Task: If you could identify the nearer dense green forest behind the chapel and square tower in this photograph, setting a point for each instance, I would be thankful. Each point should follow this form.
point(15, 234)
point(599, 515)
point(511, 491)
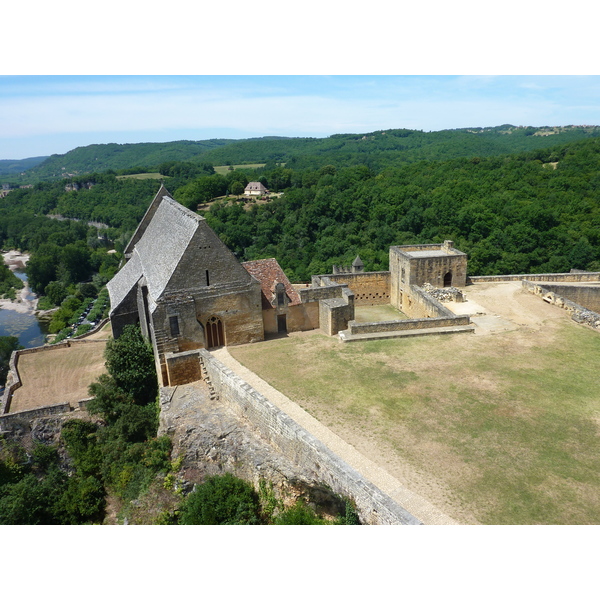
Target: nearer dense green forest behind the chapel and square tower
point(531, 212)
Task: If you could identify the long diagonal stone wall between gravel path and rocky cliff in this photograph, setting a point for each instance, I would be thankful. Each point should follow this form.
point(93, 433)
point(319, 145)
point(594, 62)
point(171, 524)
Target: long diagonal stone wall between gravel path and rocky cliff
point(299, 446)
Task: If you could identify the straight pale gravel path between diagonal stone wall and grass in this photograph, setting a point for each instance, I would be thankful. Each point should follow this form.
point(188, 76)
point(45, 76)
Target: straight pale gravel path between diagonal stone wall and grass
point(413, 503)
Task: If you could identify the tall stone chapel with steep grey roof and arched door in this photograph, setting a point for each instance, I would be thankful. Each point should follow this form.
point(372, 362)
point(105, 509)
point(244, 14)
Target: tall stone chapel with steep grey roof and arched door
point(183, 286)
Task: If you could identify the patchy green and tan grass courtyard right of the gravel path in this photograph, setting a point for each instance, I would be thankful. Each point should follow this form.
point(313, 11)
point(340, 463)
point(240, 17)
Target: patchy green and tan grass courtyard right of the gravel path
point(498, 427)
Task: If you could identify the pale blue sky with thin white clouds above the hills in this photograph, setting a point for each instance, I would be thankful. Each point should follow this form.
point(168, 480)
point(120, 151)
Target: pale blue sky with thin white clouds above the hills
point(42, 115)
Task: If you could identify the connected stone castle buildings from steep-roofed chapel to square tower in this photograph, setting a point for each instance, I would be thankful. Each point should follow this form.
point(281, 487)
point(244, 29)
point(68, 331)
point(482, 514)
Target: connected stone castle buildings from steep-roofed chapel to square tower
point(187, 290)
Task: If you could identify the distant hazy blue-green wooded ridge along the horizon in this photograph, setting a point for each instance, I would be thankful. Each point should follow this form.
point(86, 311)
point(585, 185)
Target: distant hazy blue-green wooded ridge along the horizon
point(376, 150)
